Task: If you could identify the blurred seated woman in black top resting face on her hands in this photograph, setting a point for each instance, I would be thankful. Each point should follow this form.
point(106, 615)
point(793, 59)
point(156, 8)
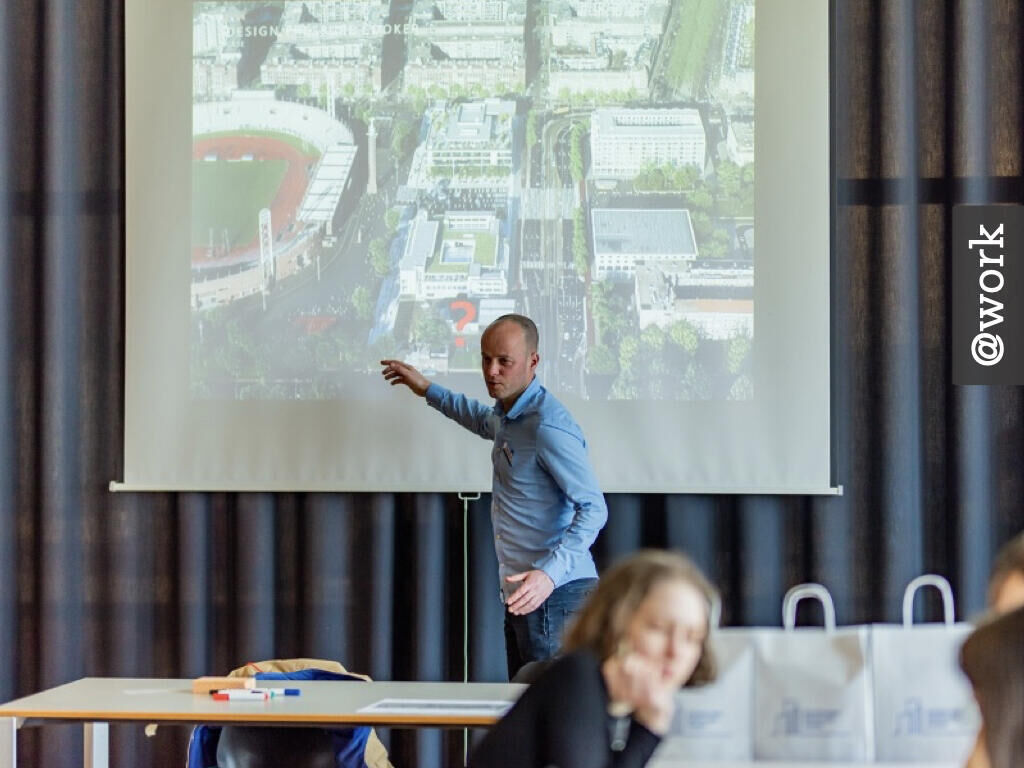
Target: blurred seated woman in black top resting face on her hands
point(608, 702)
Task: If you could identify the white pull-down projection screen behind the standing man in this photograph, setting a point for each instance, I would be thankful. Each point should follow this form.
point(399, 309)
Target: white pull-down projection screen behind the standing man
point(314, 186)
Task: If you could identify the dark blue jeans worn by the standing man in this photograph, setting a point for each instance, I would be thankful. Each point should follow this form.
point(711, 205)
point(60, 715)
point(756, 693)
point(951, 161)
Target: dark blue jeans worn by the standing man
point(538, 636)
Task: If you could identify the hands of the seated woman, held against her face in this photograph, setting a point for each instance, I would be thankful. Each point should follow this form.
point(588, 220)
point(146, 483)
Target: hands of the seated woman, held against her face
point(635, 685)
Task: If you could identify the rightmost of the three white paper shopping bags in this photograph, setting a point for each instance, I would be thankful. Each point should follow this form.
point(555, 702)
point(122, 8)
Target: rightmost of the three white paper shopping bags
point(924, 709)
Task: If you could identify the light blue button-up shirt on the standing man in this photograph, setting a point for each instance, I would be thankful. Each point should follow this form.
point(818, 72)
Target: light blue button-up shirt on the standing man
point(546, 507)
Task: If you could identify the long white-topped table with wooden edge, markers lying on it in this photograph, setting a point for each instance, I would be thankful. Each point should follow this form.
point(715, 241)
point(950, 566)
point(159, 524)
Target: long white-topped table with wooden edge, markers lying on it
point(98, 702)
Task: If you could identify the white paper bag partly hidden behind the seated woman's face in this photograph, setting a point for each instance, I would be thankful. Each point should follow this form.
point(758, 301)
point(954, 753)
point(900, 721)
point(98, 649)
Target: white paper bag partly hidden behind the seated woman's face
point(715, 721)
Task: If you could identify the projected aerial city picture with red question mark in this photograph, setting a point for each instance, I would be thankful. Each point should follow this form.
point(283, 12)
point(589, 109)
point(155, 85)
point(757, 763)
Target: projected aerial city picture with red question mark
point(378, 179)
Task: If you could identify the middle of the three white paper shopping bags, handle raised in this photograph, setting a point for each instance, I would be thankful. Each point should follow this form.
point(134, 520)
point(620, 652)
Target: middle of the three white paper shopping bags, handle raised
point(813, 689)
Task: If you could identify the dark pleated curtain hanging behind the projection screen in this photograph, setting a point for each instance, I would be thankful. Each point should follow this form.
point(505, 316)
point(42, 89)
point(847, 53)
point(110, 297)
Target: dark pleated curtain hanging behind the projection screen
point(927, 114)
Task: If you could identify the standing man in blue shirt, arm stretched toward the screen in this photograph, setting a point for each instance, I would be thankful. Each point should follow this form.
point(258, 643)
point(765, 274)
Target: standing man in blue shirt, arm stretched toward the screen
point(546, 506)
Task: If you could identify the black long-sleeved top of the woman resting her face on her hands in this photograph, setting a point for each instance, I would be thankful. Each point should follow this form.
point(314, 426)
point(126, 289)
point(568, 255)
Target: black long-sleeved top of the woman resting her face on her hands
point(563, 721)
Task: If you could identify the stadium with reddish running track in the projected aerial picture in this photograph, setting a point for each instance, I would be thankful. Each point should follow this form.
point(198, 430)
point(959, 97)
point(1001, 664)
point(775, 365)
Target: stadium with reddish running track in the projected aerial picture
point(268, 180)
